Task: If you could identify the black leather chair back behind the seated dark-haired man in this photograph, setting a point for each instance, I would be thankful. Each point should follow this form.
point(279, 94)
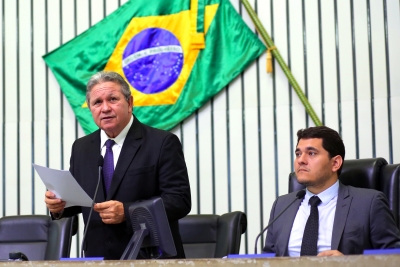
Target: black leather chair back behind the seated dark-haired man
point(374, 173)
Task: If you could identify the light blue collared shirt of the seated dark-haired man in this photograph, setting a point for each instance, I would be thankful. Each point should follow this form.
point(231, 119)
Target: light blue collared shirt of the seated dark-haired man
point(326, 210)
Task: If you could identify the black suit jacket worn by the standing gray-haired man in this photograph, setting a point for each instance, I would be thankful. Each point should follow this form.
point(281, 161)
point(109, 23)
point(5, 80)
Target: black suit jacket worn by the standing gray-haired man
point(151, 163)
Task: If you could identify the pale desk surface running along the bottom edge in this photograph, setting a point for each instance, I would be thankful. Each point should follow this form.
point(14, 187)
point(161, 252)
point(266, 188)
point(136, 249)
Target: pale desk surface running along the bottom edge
point(359, 260)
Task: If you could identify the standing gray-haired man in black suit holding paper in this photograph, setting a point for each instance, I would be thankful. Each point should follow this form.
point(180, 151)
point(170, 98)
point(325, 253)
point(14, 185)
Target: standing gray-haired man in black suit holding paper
point(148, 162)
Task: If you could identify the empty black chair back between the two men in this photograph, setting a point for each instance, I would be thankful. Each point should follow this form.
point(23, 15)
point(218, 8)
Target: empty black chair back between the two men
point(212, 236)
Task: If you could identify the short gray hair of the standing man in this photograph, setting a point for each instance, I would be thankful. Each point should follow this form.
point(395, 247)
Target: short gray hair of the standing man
point(107, 76)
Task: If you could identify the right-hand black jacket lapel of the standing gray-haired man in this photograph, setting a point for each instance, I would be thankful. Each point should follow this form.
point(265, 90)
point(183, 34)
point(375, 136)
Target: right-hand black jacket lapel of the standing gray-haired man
point(132, 143)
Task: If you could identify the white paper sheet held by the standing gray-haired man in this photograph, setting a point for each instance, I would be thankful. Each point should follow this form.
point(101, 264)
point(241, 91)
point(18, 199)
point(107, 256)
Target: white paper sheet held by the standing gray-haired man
point(64, 186)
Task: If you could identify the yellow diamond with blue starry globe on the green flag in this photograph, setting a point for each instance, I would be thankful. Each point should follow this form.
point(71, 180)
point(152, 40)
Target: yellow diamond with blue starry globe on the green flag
point(156, 55)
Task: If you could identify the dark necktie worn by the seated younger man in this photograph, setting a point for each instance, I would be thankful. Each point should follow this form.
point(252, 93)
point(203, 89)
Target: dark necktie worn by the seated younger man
point(310, 236)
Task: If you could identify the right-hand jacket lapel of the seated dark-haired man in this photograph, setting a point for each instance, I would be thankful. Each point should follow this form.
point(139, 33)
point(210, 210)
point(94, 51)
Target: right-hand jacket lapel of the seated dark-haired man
point(342, 210)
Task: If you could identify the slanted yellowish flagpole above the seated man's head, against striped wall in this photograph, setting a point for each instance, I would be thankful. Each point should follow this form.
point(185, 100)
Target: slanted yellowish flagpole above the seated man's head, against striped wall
point(271, 47)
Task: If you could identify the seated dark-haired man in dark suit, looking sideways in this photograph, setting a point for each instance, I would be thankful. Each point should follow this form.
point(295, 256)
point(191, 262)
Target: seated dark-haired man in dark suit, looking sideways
point(348, 219)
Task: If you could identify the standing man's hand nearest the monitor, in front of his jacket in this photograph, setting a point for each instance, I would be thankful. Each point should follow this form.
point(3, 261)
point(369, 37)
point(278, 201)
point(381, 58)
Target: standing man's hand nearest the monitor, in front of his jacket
point(111, 212)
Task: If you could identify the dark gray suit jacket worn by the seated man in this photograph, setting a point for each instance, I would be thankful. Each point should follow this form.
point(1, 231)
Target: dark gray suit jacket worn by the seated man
point(363, 220)
